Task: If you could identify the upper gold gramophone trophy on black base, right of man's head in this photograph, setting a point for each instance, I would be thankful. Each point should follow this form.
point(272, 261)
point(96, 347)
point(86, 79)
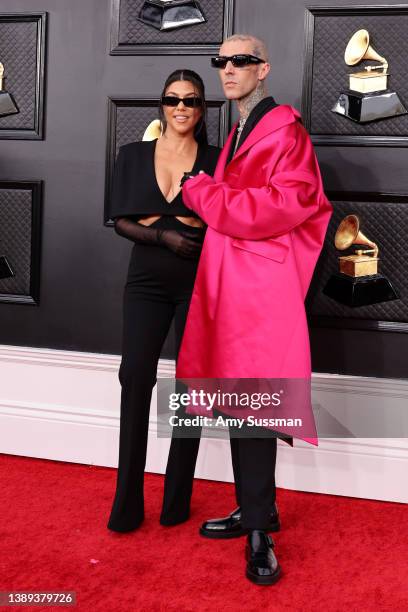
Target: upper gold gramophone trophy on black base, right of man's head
point(368, 98)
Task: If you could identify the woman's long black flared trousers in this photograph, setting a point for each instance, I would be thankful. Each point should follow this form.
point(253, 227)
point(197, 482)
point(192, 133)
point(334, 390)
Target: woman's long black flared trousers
point(158, 289)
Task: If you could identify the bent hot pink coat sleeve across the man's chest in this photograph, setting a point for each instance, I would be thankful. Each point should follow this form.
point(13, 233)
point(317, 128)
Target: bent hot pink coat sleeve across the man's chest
point(291, 193)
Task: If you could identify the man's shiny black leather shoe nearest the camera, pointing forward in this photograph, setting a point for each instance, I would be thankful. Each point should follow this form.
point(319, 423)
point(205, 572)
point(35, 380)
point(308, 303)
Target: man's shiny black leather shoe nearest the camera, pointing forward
point(262, 565)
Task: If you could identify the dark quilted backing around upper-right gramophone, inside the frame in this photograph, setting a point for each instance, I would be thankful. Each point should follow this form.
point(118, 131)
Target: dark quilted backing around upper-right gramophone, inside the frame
point(388, 36)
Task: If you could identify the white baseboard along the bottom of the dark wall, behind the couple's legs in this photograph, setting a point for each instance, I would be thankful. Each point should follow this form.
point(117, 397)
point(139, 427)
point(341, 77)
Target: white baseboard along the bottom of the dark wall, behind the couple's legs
point(64, 405)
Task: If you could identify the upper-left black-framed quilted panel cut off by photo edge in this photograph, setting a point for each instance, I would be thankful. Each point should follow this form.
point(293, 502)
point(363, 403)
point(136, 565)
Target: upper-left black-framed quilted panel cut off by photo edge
point(22, 57)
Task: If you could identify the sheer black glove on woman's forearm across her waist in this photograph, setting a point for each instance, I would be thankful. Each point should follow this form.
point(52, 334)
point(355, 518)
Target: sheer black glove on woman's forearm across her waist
point(183, 243)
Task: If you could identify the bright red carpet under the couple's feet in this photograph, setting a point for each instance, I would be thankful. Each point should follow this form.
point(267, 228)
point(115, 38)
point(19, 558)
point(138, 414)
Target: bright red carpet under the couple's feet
point(336, 553)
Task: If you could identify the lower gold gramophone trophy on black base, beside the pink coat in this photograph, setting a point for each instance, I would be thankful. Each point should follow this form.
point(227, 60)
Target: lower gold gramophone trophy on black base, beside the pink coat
point(358, 282)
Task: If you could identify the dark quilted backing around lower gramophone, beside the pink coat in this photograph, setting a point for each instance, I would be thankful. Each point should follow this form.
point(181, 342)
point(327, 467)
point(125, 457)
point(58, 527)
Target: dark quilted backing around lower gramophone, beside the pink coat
point(386, 224)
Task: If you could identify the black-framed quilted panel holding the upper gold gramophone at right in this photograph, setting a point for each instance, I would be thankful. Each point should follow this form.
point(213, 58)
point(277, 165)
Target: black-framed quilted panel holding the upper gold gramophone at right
point(341, 43)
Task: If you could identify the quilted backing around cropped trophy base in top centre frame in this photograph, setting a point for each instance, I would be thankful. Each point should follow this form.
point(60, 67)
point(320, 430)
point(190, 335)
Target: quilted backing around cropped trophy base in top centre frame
point(134, 32)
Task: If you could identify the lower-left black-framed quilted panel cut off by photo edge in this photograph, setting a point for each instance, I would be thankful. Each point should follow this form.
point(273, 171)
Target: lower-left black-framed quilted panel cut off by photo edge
point(20, 241)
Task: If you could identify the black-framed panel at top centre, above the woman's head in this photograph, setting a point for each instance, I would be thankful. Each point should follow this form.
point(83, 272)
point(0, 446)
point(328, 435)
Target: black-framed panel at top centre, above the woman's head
point(169, 27)
